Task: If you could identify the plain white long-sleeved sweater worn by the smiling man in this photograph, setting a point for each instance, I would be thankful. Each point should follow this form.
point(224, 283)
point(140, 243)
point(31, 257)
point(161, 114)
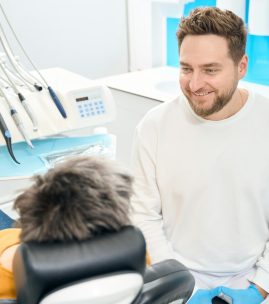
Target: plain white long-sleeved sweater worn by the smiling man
point(202, 188)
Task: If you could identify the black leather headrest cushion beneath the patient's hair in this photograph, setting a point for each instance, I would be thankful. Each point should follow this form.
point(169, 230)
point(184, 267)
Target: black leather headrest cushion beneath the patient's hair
point(40, 268)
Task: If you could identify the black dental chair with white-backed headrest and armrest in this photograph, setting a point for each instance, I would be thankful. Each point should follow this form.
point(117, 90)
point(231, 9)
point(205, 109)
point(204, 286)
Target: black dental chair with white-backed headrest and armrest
point(108, 269)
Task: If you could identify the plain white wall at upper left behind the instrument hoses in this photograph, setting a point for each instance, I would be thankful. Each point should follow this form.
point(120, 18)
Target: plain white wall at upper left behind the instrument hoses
point(88, 37)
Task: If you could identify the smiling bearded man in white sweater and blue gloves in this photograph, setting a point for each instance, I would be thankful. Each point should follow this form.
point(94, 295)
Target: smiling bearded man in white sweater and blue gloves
point(201, 166)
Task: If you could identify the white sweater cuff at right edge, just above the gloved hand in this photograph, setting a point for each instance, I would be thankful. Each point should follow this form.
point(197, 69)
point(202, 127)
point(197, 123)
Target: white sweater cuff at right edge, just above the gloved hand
point(262, 275)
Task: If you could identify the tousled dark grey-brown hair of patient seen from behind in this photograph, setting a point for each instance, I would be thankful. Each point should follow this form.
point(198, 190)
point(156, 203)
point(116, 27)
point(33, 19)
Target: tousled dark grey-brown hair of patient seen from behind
point(78, 199)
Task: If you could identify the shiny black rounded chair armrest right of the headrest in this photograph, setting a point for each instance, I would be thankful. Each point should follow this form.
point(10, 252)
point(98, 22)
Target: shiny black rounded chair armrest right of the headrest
point(166, 282)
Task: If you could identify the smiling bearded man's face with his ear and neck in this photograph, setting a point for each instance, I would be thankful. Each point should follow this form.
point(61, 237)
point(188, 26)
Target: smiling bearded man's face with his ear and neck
point(209, 77)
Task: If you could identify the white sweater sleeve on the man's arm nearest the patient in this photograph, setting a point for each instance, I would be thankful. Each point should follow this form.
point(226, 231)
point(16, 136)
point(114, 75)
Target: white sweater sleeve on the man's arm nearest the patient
point(146, 202)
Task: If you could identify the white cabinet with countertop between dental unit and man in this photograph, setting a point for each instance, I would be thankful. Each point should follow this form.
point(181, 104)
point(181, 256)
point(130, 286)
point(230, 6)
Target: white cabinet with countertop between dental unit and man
point(135, 94)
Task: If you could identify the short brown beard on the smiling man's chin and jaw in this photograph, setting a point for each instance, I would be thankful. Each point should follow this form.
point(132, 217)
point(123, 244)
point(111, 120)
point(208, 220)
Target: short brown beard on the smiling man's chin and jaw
point(219, 103)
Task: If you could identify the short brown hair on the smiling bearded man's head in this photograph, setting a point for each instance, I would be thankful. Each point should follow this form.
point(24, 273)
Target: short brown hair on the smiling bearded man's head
point(212, 20)
